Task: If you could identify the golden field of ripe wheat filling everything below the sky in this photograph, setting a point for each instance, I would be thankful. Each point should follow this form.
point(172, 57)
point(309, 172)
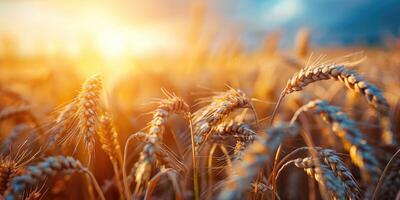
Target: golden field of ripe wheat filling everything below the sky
point(206, 122)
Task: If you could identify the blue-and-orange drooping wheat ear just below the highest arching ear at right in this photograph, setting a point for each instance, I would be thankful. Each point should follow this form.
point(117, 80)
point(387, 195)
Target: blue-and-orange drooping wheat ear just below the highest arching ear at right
point(362, 154)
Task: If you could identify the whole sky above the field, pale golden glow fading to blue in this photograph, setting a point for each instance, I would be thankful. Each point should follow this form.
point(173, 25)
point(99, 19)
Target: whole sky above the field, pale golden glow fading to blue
point(331, 22)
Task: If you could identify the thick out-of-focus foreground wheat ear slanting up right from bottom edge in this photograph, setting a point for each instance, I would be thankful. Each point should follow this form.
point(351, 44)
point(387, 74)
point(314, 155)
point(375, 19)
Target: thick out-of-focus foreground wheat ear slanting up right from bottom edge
point(255, 156)
